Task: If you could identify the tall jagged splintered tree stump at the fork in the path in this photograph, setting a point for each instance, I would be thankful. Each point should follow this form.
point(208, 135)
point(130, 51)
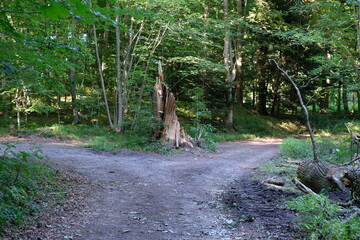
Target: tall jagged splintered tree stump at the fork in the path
point(168, 128)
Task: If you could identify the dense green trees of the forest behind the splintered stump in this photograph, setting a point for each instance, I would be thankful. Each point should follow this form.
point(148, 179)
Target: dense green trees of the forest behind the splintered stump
point(96, 62)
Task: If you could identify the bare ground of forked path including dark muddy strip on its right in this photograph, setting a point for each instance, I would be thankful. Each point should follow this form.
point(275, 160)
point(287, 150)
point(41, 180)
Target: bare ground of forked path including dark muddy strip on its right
point(140, 195)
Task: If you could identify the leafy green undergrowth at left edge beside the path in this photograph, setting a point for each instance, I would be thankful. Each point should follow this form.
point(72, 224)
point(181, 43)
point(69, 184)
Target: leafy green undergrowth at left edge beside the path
point(25, 183)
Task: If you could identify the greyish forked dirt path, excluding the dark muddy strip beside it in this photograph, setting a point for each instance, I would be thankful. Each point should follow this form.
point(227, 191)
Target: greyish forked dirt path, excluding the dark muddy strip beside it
point(154, 197)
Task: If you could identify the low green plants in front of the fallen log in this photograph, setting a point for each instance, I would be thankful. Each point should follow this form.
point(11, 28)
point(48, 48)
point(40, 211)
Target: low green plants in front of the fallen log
point(320, 219)
